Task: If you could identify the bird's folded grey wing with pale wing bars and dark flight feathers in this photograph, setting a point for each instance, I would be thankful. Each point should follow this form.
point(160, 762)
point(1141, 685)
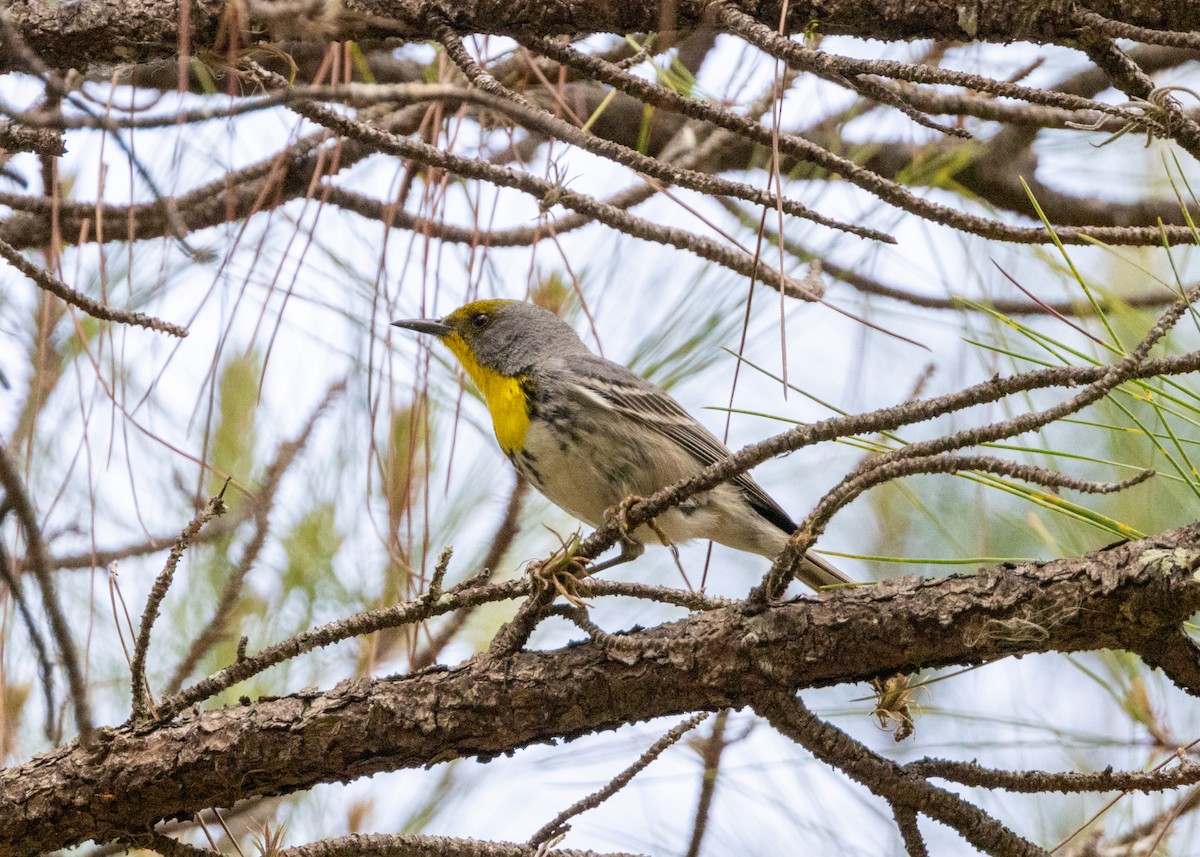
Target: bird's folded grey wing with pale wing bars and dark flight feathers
point(638, 399)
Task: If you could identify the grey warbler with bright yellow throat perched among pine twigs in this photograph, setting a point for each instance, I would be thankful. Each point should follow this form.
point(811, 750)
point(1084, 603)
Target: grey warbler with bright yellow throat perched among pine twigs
point(589, 433)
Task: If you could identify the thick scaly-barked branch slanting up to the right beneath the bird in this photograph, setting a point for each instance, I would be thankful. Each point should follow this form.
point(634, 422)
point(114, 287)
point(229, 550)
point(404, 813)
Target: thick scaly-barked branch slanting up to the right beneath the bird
point(1132, 597)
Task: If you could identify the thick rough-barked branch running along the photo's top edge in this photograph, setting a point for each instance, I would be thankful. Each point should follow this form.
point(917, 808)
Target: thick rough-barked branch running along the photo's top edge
point(107, 33)
